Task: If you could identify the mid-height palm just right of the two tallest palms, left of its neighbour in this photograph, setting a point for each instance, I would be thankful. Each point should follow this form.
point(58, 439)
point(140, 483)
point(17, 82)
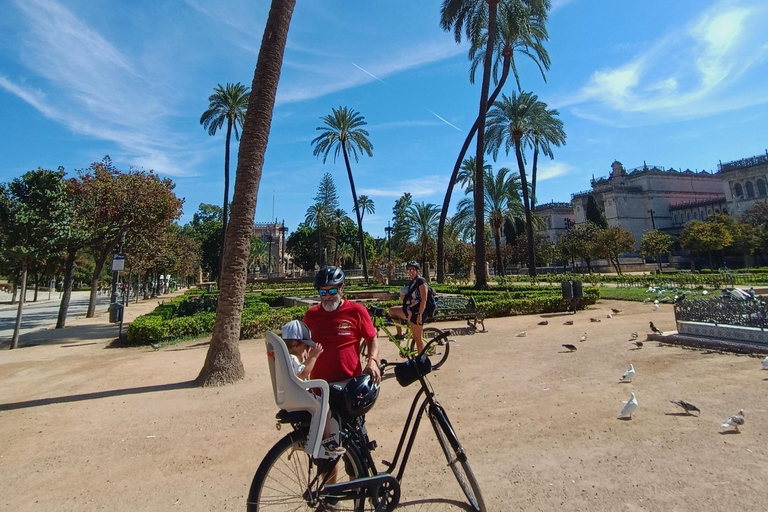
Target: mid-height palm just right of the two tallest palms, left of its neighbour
point(509, 123)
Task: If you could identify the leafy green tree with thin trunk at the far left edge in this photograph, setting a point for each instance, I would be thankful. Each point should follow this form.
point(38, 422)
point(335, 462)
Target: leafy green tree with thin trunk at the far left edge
point(35, 218)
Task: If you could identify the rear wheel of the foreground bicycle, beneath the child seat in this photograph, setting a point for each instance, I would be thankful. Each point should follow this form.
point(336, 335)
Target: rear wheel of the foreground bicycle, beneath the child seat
point(289, 479)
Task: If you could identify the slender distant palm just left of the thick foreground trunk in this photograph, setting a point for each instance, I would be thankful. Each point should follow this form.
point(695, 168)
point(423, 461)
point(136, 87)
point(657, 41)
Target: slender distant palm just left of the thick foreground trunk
point(226, 104)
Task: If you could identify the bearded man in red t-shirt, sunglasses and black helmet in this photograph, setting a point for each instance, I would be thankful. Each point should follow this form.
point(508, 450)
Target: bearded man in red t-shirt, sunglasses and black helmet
point(339, 325)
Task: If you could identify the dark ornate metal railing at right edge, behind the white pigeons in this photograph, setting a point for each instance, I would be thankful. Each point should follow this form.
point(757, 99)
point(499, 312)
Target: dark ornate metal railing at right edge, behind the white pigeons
point(753, 313)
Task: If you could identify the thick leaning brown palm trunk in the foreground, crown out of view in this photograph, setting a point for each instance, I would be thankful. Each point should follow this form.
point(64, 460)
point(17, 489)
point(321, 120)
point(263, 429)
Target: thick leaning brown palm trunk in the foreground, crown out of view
point(222, 363)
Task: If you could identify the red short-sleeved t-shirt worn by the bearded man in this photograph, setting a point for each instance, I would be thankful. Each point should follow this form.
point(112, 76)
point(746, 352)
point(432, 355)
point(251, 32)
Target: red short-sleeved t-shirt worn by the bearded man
point(340, 333)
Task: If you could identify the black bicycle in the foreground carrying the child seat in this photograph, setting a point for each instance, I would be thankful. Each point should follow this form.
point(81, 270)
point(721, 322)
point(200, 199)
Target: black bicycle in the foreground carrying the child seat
point(290, 479)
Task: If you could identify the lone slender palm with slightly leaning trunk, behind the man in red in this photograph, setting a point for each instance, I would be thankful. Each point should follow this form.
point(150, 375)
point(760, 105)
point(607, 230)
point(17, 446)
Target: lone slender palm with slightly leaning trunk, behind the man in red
point(342, 133)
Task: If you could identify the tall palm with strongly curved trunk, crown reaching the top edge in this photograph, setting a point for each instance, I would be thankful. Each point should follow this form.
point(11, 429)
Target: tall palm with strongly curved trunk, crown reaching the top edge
point(523, 29)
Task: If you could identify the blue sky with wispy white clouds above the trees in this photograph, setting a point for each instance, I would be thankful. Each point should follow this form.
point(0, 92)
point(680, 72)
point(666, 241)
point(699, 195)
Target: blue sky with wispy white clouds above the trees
point(673, 84)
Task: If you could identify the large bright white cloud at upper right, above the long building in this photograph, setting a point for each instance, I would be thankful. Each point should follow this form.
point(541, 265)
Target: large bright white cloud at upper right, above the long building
point(705, 69)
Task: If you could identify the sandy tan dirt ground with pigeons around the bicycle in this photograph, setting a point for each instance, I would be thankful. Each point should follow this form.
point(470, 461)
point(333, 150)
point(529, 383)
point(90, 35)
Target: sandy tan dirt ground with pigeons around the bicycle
point(86, 427)
